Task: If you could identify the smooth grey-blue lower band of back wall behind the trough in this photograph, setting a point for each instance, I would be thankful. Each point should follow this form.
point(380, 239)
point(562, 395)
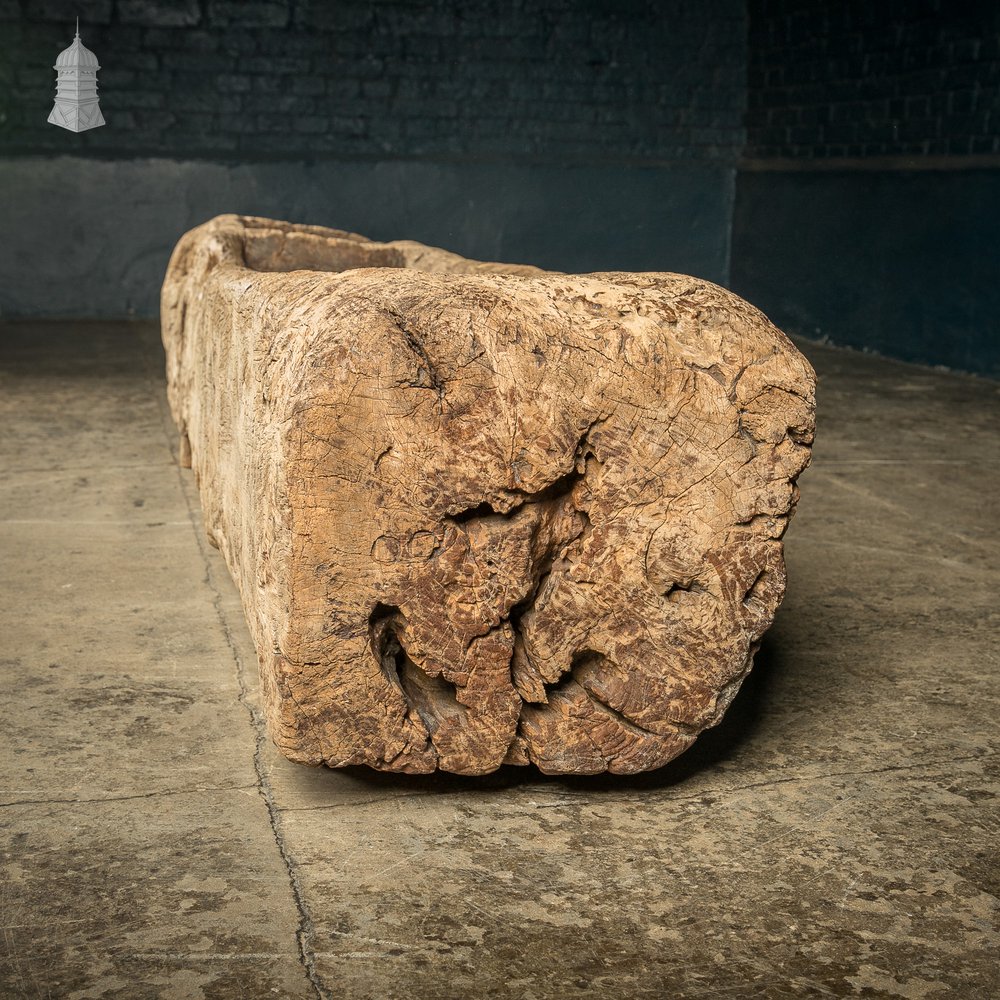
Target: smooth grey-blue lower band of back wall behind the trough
point(92, 237)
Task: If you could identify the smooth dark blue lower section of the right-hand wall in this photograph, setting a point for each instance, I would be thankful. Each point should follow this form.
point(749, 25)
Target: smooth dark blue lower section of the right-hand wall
point(904, 263)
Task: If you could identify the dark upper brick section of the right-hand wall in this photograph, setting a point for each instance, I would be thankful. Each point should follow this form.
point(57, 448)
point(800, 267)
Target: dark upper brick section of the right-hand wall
point(863, 78)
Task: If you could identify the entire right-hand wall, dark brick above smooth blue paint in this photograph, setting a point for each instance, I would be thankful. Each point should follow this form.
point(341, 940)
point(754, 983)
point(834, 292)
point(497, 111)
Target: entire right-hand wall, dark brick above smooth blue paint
point(868, 205)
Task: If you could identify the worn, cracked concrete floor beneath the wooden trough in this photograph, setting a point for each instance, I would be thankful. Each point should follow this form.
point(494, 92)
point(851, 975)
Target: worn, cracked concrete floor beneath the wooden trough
point(837, 835)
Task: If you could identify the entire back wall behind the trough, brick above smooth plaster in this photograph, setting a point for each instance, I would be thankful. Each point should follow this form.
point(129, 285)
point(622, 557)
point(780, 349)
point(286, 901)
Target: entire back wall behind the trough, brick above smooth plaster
point(575, 134)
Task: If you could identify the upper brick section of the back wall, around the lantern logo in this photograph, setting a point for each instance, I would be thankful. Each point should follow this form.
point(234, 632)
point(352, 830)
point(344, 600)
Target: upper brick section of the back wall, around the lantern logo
point(555, 80)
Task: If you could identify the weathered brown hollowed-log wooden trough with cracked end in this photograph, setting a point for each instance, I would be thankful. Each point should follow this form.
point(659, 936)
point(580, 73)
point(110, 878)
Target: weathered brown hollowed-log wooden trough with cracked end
point(483, 513)
